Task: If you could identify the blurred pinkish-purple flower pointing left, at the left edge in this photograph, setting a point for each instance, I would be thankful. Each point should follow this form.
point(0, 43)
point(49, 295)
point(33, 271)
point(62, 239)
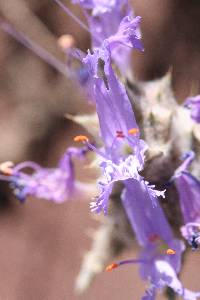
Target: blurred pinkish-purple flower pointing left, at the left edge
point(56, 184)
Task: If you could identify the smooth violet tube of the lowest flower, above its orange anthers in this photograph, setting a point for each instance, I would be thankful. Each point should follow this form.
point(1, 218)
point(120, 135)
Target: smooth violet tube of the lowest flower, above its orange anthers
point(145, 218)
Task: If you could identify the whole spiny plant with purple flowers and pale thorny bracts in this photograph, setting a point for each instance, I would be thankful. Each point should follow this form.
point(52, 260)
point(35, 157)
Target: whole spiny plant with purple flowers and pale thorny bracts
point(146, 145)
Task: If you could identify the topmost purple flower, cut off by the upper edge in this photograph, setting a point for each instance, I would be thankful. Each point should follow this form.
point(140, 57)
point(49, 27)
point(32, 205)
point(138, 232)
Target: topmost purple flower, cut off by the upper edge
point(113, 21)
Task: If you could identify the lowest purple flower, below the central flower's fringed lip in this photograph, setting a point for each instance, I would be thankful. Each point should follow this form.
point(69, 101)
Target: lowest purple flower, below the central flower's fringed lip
point(155, 236)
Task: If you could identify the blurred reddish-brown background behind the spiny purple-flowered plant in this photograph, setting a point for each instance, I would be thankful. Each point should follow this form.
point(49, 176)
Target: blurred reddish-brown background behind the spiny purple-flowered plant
point(42, 244)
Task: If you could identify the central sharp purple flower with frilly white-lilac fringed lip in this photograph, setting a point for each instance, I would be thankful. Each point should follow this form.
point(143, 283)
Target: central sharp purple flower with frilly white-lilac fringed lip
point(117, 121)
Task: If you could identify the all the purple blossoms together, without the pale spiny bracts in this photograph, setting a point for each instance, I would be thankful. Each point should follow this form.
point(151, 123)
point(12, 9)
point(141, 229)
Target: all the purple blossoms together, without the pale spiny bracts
point(123, 152)
